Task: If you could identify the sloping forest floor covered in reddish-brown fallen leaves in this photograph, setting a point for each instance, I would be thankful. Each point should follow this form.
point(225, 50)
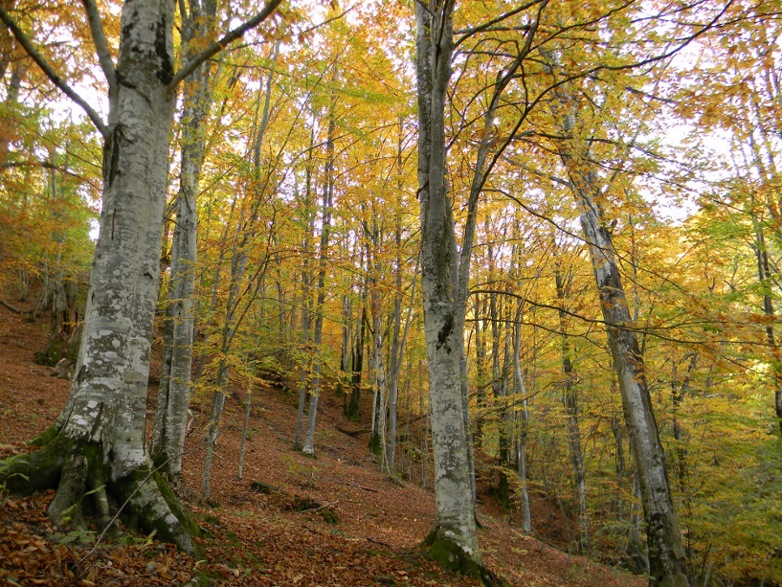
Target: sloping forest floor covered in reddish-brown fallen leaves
point(333, 520)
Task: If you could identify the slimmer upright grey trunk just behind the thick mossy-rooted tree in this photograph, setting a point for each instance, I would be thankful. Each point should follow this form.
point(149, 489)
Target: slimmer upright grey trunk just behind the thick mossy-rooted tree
point(171, 416)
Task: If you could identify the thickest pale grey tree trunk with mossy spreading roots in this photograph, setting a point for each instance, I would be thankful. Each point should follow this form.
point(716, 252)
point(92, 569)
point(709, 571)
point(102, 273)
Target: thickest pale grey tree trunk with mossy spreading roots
point(95, 453)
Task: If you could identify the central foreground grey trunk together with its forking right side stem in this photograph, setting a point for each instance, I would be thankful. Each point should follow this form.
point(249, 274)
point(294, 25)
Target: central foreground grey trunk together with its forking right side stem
point(444, 271)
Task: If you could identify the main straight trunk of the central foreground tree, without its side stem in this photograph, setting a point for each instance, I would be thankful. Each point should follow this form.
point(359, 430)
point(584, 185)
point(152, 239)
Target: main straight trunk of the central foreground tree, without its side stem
point(443, 326)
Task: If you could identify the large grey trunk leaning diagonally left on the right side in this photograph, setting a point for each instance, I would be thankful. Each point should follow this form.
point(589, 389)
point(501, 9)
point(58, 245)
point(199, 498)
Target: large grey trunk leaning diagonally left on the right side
point(667, 561)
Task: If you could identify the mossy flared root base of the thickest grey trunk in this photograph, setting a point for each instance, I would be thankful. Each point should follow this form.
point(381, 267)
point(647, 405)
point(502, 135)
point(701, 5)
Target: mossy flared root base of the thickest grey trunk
point(78, 472)
